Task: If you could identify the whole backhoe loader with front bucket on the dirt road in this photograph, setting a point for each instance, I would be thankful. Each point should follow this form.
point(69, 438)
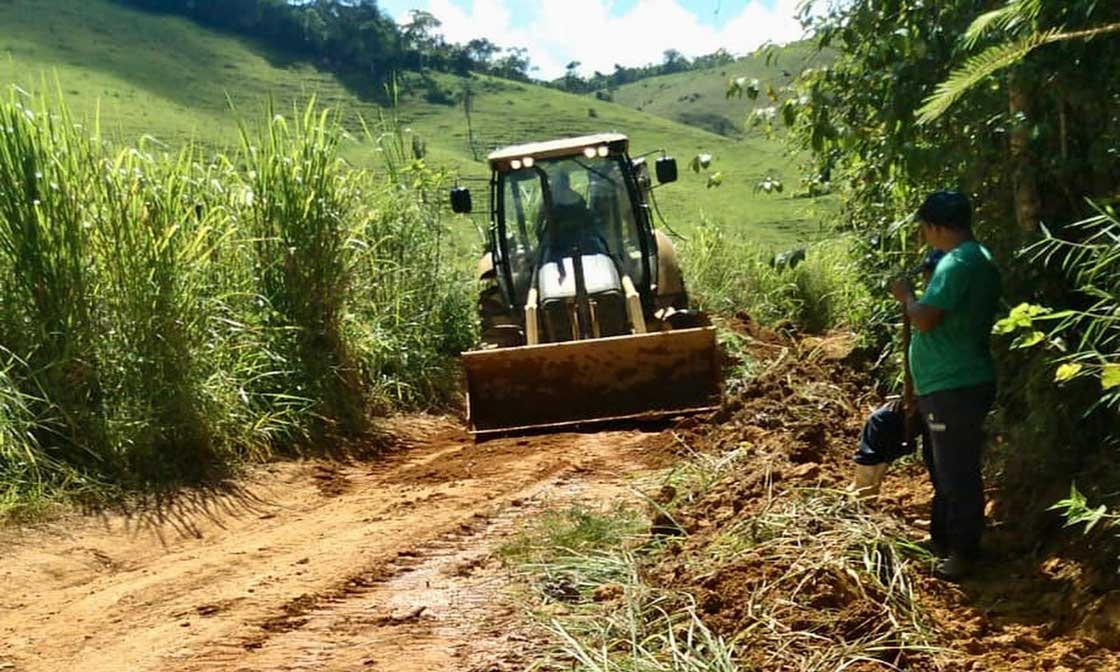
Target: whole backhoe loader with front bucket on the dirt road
point(585, 316)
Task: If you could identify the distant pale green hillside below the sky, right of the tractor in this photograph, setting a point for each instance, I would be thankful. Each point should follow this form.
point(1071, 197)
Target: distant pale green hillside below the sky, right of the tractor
point(698, 98)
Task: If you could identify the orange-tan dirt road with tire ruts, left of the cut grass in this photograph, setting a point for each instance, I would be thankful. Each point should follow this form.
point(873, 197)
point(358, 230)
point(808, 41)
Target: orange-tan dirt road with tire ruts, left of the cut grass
point(379, 565)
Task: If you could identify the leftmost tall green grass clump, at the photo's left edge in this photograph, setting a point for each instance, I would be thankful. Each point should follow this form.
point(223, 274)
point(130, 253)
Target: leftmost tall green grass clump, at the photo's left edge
point(48, 281)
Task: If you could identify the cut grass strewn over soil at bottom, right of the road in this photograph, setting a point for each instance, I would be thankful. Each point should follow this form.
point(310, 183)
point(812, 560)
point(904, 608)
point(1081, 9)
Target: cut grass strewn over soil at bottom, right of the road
point(839, 592)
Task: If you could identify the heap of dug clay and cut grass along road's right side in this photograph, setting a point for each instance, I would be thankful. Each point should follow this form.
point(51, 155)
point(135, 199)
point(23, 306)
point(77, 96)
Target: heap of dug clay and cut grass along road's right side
point(770, 564)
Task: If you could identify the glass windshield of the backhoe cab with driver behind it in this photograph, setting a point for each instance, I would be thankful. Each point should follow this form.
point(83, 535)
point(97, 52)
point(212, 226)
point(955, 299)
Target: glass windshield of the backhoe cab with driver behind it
point(591, 213)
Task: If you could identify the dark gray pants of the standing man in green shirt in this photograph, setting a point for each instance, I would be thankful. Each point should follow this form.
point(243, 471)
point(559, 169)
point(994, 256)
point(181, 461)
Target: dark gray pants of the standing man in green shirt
point(955, 422)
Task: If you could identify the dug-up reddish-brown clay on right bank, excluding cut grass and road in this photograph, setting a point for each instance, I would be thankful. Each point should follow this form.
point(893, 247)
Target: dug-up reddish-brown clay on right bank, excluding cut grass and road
point(802, 416)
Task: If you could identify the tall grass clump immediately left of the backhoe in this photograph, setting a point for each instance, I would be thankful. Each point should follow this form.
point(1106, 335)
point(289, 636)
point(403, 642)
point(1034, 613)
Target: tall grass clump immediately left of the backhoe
point(417, 315)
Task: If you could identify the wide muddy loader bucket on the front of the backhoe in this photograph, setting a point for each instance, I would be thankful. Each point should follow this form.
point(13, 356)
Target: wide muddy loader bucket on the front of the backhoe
point(620, 378)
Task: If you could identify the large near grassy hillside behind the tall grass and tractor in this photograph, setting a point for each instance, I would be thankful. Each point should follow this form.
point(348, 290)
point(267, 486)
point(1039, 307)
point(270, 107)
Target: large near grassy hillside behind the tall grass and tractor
point(166, 78)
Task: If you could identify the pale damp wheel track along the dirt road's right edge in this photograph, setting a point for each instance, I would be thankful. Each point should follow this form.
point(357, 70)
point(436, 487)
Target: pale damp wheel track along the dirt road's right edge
point(437, 606)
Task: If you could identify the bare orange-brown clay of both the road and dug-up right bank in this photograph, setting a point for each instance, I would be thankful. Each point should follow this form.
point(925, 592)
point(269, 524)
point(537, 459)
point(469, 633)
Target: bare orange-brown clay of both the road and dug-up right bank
point(388, 565)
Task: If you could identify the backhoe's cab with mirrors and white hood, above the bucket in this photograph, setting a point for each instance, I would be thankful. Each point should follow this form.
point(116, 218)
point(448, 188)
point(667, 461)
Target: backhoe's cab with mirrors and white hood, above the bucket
point(571, 236)
